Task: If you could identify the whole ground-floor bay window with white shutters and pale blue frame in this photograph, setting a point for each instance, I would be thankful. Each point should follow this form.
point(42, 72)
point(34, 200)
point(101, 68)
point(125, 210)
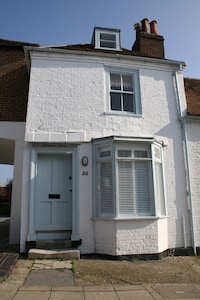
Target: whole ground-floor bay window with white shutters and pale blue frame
point(129, 179)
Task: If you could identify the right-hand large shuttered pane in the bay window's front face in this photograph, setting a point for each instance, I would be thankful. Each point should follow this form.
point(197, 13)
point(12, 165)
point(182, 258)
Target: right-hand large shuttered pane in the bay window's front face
point(143, 188)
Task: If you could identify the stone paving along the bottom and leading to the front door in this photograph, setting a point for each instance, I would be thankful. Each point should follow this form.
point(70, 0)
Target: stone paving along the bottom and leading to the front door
point(29, 279)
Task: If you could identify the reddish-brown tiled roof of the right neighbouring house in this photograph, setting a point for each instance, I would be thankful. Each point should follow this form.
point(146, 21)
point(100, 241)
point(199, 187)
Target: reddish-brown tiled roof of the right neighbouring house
point(192, 90)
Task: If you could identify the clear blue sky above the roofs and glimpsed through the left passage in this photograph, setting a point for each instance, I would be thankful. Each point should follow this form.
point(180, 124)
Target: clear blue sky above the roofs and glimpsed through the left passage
point(64, 22)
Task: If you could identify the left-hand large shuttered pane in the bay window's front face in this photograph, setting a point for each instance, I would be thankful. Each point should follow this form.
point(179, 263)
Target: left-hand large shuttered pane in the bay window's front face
point(125, 188)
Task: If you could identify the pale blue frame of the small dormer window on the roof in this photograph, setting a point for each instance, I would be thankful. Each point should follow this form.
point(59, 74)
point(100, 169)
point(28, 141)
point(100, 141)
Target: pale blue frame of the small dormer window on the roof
point(116, 33)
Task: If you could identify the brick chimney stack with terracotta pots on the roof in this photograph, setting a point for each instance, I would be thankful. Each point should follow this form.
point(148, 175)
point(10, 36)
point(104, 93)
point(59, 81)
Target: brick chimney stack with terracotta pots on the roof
point(149, 44)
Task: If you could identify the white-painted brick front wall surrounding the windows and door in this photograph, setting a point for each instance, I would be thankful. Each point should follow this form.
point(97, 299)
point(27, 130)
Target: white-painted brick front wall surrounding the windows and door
point(67, 103)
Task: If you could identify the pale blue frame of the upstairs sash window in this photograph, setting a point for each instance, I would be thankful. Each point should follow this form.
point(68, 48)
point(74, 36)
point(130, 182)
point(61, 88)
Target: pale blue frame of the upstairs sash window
point(136, 91)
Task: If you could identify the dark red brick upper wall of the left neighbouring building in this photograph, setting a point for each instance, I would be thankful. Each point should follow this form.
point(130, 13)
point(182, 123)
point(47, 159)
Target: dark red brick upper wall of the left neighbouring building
point(13, 84)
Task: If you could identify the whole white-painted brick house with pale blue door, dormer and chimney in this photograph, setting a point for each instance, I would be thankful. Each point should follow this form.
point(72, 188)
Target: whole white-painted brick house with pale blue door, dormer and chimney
point(103, 162)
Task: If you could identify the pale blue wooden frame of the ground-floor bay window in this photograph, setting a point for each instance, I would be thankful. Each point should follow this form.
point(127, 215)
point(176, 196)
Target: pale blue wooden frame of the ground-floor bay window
point(147, 145)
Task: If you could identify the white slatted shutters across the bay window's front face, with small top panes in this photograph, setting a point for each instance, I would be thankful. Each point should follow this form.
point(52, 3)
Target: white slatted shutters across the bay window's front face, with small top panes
point(134, 184)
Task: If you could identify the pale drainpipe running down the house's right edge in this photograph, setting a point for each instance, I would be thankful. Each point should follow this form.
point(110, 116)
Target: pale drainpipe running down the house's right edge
point(186, 156)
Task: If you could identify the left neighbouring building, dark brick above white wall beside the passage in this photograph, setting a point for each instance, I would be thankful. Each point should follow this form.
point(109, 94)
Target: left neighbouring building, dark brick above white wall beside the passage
point(13, 104)
